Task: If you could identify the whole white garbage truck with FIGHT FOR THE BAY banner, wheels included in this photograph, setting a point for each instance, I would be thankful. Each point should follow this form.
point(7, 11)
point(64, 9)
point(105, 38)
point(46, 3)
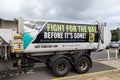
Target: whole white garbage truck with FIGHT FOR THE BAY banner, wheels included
point(60, 45)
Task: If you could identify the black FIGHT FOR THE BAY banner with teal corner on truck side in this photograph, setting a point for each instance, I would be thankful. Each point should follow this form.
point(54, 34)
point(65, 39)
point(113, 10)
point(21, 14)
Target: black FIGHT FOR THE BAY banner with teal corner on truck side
point(58, 32)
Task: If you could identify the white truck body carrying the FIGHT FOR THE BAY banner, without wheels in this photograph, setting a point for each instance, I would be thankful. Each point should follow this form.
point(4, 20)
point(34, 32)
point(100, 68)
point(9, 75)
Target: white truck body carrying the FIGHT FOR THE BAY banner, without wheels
point(45, 36)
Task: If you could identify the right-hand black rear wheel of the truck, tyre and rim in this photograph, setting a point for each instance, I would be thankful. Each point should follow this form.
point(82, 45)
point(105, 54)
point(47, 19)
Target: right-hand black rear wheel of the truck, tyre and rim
point(82, 65)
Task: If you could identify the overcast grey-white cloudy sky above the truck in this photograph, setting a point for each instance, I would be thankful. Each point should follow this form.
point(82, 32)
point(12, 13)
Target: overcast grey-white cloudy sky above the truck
point(63, 10)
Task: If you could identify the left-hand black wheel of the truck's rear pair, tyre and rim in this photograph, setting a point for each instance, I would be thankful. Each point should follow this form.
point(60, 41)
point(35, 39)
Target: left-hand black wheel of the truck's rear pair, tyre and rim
point(61, 67)
